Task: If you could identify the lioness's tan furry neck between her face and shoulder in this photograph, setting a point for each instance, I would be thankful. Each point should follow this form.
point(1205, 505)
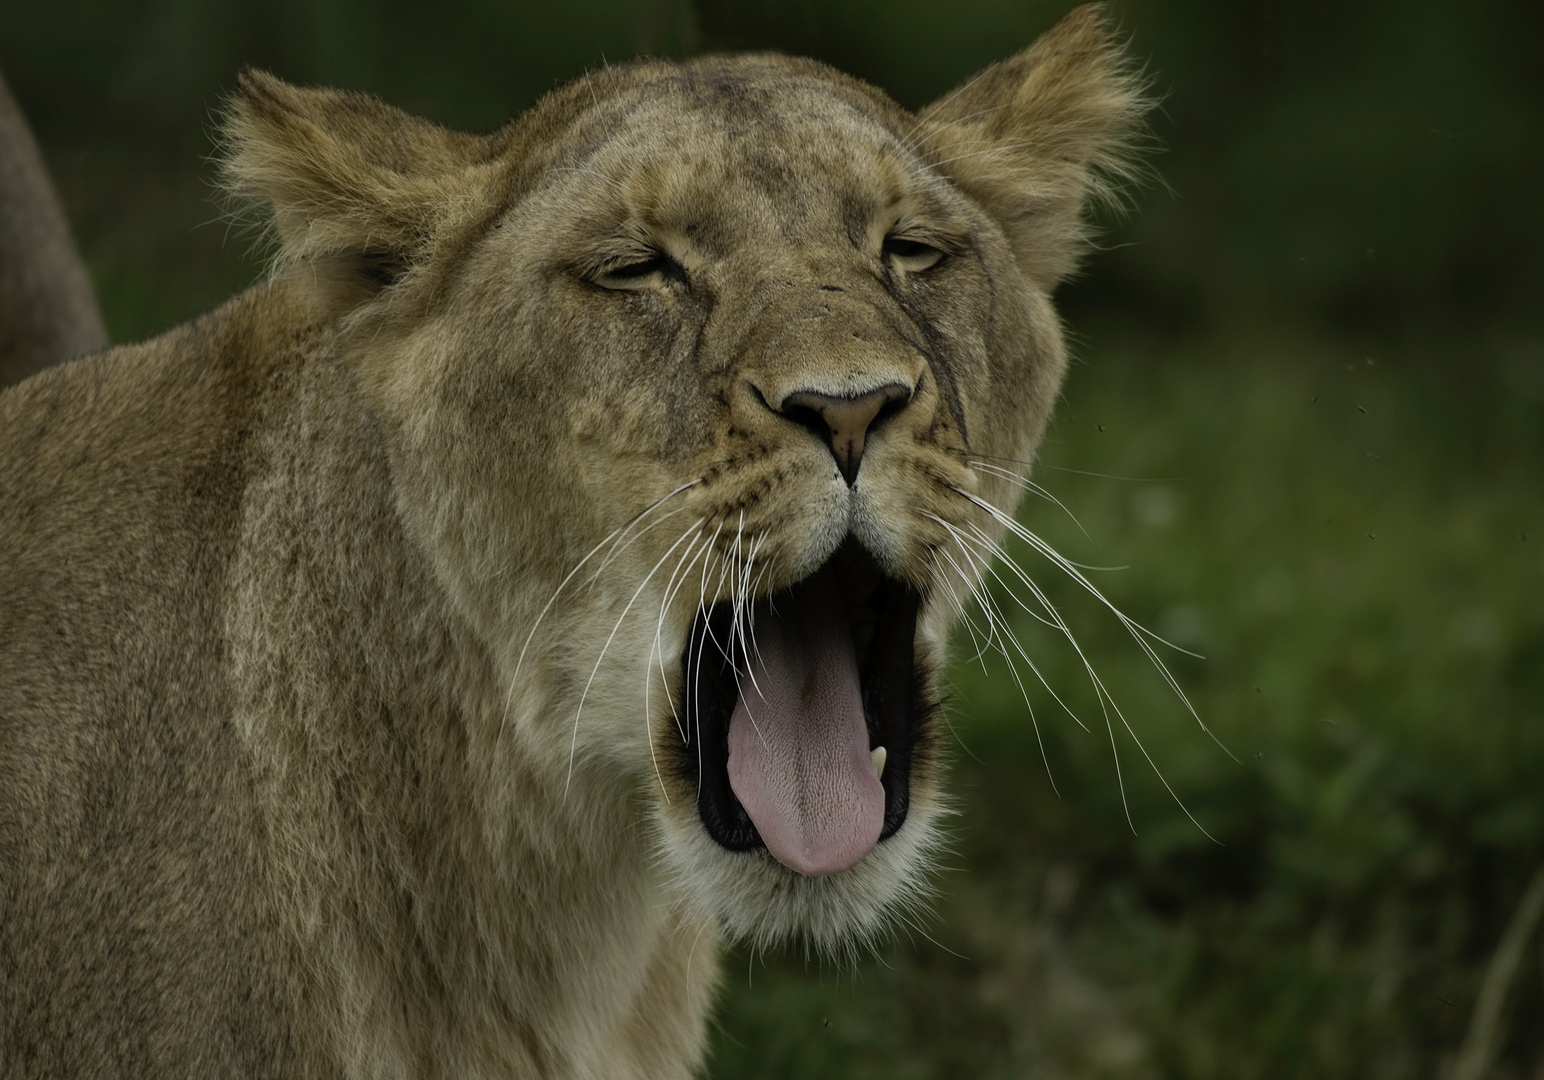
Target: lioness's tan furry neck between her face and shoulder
point(427, 866)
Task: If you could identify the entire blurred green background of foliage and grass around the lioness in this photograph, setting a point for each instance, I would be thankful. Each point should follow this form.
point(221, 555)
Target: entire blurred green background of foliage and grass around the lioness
point(1315, 352)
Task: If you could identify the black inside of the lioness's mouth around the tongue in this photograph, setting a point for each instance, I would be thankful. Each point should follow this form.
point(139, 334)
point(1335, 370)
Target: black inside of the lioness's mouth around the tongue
point(884, 620)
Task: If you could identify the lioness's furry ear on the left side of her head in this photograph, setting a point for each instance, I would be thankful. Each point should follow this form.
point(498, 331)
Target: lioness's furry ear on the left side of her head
point(359, 191)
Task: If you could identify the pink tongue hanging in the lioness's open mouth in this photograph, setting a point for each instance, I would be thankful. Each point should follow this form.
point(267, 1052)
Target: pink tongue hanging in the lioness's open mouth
point(799, 755)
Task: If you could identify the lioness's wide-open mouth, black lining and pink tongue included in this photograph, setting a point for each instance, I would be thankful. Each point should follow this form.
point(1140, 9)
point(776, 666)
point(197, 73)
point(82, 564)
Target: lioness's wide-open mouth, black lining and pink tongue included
point(802, 716)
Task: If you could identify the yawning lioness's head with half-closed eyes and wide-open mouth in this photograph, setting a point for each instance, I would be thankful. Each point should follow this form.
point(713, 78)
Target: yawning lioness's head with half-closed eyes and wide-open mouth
point(689, 384)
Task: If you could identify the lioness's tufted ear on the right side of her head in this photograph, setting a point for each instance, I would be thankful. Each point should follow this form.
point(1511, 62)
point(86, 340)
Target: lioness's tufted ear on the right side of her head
point(1035, 137)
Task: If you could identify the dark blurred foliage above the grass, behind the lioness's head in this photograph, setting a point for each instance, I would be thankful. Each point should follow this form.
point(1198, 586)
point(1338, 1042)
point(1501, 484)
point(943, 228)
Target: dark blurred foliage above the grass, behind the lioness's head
point(1370, 168)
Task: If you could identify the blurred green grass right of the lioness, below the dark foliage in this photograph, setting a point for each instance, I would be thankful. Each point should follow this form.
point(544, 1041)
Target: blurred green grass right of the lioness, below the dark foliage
point(1356, 545)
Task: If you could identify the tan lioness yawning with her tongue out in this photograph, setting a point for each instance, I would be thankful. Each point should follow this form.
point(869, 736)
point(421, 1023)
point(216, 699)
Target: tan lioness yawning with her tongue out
point(418, 665)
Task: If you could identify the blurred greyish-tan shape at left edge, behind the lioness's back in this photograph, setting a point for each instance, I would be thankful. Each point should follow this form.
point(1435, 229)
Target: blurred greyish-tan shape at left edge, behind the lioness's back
point(49, 310)
